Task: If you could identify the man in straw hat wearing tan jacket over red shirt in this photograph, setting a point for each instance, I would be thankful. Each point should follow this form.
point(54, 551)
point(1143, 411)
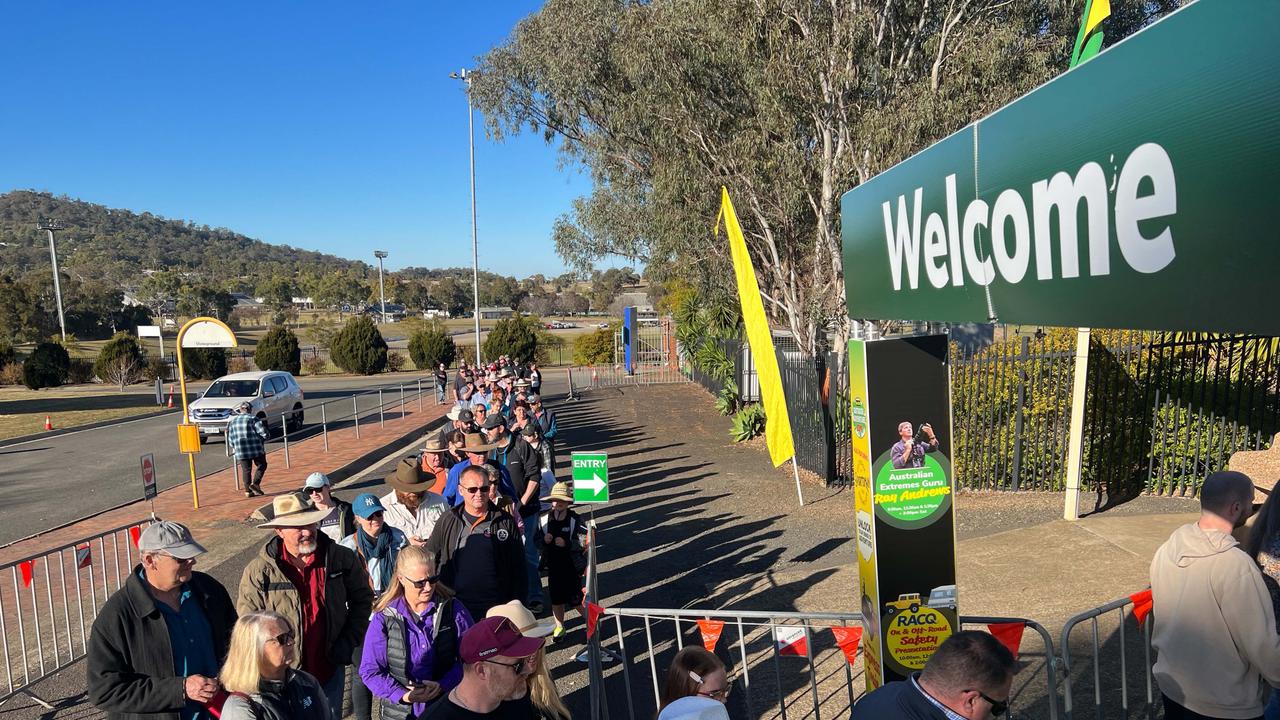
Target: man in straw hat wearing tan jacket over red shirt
point(321, 587)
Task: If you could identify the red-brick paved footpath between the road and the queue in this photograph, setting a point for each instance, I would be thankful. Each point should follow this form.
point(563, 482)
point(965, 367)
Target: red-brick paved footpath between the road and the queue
point(221, 504)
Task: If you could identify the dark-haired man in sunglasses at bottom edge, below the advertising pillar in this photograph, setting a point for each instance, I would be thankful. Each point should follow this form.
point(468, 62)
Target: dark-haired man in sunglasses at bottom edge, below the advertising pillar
point(968, 678)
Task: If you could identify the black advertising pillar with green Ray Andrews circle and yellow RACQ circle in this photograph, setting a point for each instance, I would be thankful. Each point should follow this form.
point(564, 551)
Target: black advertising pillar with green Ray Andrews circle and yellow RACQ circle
point(900, 391)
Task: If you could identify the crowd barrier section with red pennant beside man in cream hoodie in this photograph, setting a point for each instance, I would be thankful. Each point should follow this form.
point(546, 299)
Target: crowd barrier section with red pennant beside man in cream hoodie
point(1110, 668)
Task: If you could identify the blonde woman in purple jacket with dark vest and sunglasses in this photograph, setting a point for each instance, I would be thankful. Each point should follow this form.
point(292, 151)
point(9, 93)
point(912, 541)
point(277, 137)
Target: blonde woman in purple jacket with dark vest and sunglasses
point(412, 649)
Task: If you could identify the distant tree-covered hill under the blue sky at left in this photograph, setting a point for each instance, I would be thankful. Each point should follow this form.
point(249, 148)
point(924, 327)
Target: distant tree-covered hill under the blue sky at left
point(104, 244)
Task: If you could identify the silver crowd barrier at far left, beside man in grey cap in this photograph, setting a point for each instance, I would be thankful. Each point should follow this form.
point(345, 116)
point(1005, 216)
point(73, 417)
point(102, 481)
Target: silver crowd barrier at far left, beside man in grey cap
point(52, 600)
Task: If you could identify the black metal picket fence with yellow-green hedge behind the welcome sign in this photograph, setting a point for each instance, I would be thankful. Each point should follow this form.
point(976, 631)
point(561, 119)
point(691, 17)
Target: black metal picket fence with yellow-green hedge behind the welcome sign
point(1163, 411)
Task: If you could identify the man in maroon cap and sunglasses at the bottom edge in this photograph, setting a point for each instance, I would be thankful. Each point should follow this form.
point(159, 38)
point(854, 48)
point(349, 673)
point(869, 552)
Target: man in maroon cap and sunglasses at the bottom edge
point(496, 666)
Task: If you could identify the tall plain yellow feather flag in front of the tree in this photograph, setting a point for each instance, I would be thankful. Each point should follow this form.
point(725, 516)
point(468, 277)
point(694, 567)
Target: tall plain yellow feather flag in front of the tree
point(778, 429)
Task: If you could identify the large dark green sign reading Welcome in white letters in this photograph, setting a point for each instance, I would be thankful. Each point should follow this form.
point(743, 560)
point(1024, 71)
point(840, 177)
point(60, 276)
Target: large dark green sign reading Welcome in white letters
point(1136, 192)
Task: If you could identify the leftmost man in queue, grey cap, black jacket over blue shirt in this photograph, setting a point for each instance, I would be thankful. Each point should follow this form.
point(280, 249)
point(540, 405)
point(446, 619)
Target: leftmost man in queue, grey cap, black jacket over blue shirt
point(159, 641)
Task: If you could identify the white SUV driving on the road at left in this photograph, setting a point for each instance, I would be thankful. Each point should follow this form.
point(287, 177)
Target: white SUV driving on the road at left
point(275, 395)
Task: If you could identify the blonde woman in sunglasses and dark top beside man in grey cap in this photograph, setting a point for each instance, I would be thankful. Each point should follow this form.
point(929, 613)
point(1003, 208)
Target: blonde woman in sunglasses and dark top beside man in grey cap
point(260, 677)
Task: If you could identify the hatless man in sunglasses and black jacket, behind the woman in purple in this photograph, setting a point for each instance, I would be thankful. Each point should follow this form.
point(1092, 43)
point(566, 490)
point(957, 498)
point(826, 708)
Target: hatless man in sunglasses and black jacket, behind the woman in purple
point(478, 548)
